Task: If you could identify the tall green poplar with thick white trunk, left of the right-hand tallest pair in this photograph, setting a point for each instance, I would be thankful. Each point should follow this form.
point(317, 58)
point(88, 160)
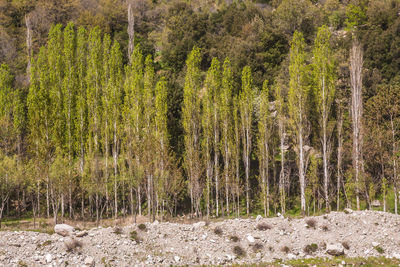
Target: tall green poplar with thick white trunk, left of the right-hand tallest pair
point(297, 106)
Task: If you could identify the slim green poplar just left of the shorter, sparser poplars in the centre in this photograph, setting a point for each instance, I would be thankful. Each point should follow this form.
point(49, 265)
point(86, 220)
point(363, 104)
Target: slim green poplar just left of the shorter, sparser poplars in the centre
point(246, 99)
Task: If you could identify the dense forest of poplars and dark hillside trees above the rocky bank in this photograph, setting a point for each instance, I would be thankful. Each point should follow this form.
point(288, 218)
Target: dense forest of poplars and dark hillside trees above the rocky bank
point(215, 108)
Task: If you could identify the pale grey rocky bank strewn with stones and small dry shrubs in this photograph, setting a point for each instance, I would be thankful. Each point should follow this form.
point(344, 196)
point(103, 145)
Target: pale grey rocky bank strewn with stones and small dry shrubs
point(354, 234)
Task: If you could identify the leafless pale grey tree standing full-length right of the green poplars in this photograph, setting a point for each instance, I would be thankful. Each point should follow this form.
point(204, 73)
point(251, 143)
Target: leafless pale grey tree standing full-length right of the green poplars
point(356, 64)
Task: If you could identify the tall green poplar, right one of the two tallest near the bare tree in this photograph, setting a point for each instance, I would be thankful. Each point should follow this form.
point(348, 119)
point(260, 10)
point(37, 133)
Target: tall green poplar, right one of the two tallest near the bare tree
point(324, 93)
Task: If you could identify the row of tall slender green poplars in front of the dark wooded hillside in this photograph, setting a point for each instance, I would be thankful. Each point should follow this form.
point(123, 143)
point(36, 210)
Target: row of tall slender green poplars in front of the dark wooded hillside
point(92, 133)
